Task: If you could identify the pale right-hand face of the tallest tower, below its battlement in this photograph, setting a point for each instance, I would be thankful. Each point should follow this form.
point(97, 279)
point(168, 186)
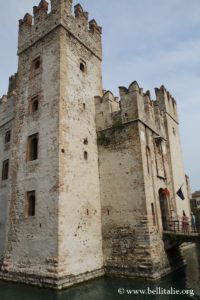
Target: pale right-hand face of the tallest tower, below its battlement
point(80, 239)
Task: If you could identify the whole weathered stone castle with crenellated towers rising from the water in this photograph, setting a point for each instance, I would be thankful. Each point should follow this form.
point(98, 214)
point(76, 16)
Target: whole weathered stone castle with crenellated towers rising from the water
point(88, 180)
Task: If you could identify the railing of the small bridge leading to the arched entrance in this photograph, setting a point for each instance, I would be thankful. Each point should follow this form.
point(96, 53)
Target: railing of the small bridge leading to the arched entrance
point(179, 226)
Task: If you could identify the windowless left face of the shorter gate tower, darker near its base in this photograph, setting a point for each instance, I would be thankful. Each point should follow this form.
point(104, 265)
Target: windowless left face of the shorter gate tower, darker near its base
point(123, 200)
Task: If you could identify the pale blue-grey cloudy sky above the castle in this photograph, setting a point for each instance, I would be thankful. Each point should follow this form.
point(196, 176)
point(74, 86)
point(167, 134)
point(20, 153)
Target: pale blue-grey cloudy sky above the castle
point(152, 41)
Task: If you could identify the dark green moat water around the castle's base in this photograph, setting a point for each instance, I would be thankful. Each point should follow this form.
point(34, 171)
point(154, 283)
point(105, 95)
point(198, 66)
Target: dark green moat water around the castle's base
point(186, 280)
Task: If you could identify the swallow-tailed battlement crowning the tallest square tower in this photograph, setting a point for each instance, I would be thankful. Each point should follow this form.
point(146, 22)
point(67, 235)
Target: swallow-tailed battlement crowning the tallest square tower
point(43, 21)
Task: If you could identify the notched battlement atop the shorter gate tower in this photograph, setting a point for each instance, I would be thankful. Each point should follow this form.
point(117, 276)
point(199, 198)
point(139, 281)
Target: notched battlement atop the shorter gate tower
point(134, 105)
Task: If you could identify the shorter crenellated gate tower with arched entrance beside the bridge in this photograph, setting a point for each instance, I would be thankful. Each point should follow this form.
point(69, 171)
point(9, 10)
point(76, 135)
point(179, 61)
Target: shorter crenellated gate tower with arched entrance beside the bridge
point(137, 178)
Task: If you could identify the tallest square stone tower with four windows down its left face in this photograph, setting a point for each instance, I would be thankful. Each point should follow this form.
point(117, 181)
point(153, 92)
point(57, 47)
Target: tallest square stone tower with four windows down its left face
point(54, 218)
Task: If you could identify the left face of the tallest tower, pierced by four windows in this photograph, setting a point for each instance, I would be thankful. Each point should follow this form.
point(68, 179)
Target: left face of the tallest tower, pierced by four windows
point(32, 240)
